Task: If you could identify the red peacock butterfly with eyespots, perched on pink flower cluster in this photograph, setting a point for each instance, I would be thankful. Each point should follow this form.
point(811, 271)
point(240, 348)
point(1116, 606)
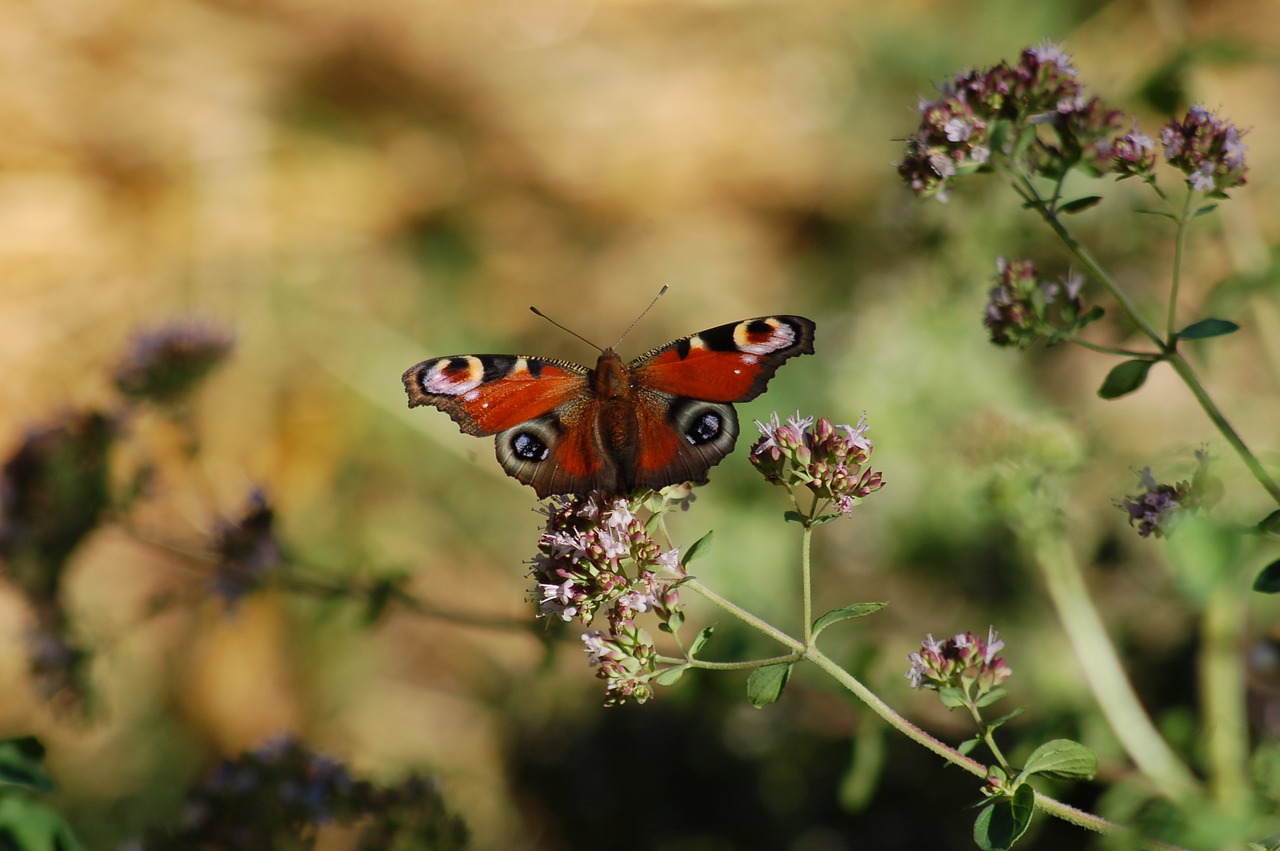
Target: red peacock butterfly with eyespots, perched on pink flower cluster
point(665, 418)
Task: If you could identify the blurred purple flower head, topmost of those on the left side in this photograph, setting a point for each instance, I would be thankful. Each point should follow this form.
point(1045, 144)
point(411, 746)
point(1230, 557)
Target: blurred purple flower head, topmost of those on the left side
point(168, 363)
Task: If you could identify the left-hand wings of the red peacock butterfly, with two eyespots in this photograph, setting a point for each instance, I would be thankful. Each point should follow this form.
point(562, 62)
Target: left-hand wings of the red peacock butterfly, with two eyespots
point(542, 413)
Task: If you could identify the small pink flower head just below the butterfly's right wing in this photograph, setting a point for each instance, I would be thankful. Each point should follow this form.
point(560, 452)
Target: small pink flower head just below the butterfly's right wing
point(829, 460)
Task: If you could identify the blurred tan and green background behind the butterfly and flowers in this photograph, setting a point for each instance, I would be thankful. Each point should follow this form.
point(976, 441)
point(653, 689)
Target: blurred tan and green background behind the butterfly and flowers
point(353, 187)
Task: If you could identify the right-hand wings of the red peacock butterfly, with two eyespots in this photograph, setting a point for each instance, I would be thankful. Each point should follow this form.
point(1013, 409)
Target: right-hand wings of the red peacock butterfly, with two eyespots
point(685, 422)
